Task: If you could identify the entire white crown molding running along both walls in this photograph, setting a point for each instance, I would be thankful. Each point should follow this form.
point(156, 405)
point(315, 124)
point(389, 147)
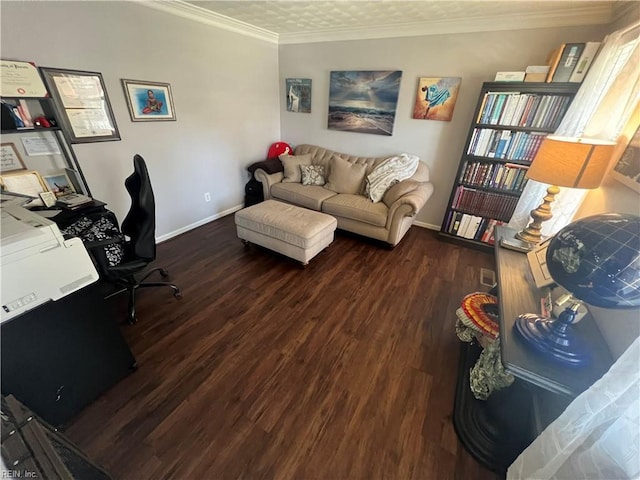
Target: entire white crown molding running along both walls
point(575, 16)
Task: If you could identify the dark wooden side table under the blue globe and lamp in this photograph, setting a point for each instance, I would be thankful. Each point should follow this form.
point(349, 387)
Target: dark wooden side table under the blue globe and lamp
point(495, 431)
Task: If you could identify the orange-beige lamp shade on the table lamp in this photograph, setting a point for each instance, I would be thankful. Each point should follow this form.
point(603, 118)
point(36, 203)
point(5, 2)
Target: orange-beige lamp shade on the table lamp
point(571, 162)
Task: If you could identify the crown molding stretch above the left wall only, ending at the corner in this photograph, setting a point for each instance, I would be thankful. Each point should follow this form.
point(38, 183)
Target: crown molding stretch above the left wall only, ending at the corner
point(201, 15)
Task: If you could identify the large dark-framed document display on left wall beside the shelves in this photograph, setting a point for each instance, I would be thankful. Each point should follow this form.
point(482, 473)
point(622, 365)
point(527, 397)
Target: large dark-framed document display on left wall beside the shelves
point(83, 104)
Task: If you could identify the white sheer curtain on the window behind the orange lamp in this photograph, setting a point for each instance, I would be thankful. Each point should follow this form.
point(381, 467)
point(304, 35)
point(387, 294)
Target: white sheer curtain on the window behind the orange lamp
point(601, 108)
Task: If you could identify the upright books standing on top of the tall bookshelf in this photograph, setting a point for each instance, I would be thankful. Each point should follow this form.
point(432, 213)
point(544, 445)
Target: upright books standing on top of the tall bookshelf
point(571, 61)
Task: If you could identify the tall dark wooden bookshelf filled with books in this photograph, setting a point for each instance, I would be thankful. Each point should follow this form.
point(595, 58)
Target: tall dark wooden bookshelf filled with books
point(509, 123)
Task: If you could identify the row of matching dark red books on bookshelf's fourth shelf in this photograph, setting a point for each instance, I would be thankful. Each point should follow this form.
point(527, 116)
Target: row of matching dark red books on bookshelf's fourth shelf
point(483, 203)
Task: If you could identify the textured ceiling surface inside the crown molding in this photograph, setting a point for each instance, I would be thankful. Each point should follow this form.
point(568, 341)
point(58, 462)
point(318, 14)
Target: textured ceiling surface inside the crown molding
point(304, 16)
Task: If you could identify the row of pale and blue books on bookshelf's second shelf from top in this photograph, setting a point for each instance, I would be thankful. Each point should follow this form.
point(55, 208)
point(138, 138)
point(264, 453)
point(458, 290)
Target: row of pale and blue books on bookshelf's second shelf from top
point(505, 144)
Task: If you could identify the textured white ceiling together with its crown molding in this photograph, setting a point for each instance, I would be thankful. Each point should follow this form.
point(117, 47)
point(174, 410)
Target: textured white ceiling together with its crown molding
point(314, 21)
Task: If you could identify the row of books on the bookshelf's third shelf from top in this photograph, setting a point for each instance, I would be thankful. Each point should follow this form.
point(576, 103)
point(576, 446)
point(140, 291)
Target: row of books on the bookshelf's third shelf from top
point(504, 176)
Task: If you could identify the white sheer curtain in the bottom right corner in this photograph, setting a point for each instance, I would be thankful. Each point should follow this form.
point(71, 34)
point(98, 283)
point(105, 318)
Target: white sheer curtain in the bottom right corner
point(597, 436)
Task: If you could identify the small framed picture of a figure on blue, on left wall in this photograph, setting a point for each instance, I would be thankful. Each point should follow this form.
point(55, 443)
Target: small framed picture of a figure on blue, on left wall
point(149, 101)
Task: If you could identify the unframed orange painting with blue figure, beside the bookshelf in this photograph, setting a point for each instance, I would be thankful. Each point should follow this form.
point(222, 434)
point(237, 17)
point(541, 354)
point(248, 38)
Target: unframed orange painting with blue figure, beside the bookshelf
point(436, 98)
